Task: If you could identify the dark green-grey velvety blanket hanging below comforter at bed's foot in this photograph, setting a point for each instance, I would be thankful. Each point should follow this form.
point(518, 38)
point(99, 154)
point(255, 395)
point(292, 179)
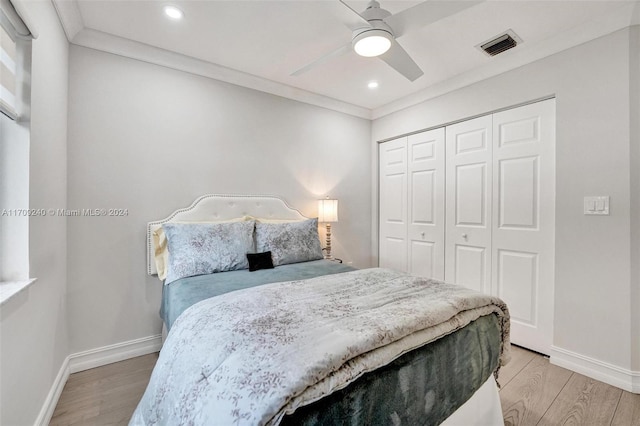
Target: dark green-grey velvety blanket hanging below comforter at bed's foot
point(417, 388)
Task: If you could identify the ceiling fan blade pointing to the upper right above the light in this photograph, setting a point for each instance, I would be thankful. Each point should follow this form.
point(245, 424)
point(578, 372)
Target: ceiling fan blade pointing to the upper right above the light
point(426, 13)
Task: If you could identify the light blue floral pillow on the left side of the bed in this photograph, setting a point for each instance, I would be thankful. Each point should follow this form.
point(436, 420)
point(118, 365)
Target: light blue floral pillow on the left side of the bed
point(205, 248)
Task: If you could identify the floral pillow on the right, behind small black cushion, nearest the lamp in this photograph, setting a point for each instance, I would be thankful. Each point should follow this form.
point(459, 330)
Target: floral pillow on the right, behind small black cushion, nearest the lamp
point(291, 242)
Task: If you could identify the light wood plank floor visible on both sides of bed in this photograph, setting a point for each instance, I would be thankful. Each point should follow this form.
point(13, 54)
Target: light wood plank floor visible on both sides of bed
point(534, 392)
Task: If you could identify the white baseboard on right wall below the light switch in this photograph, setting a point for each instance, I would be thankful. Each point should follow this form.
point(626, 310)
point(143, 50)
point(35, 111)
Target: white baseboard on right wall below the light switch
point(599, 370)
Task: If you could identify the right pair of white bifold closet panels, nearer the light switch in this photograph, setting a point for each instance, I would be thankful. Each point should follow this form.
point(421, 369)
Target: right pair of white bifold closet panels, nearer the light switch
point(500, 203)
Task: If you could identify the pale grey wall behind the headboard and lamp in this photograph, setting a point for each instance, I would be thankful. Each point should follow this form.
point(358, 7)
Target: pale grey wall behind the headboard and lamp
point(152, 139)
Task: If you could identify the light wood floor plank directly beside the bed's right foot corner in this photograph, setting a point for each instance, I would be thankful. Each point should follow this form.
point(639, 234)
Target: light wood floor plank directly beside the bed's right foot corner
point(527, 396)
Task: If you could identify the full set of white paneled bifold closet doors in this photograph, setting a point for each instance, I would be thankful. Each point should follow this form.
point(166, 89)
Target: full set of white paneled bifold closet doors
point(490, 224)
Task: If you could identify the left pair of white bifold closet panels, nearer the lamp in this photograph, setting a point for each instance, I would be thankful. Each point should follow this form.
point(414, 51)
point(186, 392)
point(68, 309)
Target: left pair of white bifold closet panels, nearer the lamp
point(412, 204)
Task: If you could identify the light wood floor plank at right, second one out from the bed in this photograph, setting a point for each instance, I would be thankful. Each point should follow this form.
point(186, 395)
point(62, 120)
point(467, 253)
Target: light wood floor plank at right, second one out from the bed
point(584, 402)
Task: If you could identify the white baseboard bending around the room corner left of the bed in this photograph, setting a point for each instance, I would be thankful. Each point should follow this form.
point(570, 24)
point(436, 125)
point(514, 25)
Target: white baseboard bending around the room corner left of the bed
point(91, 359)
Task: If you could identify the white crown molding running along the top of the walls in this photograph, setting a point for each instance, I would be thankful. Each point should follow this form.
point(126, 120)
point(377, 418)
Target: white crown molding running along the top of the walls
point(77, 33)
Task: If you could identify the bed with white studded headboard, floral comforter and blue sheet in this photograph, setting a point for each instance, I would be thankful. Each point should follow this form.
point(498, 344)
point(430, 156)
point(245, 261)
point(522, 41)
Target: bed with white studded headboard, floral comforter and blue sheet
point(316, 342)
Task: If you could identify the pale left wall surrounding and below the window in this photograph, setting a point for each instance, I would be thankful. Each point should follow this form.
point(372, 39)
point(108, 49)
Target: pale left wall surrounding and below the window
point(33, 328)
